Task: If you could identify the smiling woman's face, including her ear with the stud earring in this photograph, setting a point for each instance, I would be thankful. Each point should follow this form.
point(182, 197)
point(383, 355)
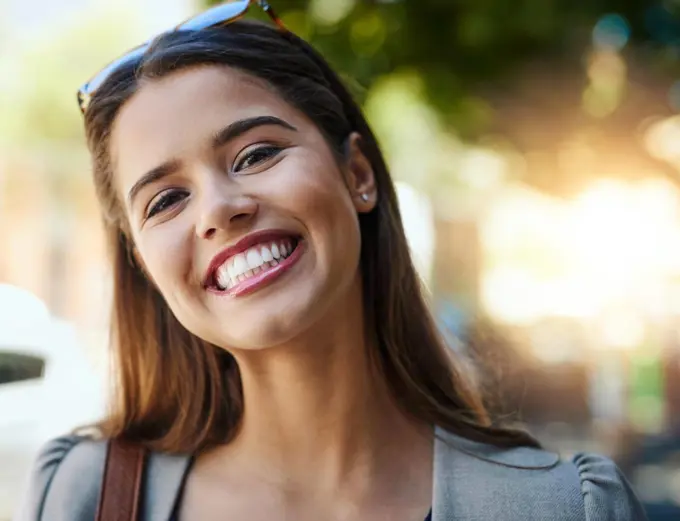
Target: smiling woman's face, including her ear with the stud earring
point(239, 211)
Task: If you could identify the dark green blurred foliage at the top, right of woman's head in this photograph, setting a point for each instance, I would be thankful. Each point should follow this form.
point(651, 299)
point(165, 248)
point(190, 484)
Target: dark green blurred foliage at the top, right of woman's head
point(455, 45)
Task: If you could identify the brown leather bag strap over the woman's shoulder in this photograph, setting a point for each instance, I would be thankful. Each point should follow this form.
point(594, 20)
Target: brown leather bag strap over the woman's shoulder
point(121, 488)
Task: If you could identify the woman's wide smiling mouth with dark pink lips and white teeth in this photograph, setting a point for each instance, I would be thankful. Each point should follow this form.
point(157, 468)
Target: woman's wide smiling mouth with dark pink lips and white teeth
point(252, 268)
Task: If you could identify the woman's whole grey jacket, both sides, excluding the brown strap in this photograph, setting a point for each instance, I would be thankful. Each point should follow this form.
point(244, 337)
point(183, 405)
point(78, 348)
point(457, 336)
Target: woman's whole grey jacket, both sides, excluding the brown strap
point(472, 482)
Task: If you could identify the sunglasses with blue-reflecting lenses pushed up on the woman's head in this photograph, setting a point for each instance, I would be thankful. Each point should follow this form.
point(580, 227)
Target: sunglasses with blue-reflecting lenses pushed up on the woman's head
point(218, 16)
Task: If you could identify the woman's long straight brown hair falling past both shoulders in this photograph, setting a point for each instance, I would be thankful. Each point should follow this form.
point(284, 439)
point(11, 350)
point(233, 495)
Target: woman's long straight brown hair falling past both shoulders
point(179, 393)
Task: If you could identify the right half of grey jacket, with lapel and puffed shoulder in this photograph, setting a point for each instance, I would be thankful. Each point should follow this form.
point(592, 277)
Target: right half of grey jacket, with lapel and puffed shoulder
point(476, 479)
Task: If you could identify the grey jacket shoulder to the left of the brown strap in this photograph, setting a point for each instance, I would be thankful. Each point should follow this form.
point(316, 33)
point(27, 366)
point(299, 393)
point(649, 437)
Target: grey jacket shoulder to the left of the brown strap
point(65, 480)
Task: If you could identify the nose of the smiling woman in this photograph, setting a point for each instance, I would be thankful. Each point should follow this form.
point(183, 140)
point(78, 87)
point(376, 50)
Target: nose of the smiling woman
point(223, 209)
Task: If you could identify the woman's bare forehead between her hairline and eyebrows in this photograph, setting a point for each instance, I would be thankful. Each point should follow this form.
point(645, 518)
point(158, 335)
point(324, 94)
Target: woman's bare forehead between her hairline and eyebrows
point(180, 113)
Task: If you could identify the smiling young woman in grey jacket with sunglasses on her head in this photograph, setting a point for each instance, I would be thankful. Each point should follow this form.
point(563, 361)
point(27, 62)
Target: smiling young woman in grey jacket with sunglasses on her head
point(275, 353)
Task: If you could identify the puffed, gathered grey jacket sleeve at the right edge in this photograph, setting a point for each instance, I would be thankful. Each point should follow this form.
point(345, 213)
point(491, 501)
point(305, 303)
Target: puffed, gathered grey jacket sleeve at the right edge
point(607, 495)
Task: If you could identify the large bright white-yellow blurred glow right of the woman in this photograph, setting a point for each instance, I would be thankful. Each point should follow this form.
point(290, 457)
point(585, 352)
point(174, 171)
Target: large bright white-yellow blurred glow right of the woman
point(584, 257)
